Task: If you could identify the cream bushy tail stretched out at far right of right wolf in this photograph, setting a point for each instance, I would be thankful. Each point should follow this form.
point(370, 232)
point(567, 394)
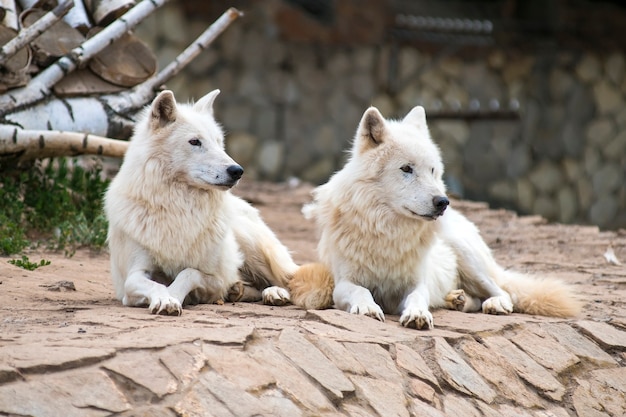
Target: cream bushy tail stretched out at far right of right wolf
point(540, 296)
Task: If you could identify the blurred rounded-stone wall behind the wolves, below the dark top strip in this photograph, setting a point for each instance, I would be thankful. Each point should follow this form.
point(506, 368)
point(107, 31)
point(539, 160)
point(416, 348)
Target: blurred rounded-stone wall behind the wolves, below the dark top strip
point(291, 108)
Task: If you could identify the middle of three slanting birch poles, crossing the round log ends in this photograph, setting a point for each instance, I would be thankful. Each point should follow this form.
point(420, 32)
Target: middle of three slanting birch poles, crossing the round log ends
point(40, 86)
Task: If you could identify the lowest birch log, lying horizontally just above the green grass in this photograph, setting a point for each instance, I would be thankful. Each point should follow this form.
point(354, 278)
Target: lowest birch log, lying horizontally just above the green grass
point(26, 145)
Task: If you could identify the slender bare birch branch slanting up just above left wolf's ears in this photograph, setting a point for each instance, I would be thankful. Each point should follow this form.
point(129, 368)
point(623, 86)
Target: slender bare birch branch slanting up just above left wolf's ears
point(135, 98)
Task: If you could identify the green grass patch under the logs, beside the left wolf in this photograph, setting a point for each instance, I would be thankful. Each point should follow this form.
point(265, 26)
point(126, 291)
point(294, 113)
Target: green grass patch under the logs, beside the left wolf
point(58, 204)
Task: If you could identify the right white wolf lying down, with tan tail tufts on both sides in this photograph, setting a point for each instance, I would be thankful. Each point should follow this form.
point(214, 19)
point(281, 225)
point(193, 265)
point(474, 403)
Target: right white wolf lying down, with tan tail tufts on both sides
point(389, 247)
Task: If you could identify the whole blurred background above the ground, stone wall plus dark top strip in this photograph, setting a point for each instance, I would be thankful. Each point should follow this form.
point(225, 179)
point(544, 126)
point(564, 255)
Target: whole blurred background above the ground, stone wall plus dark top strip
point(525, 98)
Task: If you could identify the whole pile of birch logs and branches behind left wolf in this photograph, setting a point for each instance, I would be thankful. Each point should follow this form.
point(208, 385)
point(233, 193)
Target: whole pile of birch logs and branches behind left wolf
point(73, 75)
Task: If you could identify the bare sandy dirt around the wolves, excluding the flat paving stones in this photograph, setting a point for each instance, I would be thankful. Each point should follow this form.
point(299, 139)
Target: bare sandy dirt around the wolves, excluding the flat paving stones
point(574, 253)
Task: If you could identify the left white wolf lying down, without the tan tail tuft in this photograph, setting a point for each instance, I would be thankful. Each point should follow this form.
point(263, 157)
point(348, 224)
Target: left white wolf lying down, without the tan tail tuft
point(176, 233)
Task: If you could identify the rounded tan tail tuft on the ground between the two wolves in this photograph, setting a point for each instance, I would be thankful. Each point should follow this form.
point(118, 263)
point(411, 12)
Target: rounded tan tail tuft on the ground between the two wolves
point(312, 287)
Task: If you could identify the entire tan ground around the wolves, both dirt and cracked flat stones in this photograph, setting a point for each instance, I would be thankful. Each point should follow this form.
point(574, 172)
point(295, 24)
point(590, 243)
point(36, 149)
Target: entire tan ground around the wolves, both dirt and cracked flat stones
point(66, 352)
